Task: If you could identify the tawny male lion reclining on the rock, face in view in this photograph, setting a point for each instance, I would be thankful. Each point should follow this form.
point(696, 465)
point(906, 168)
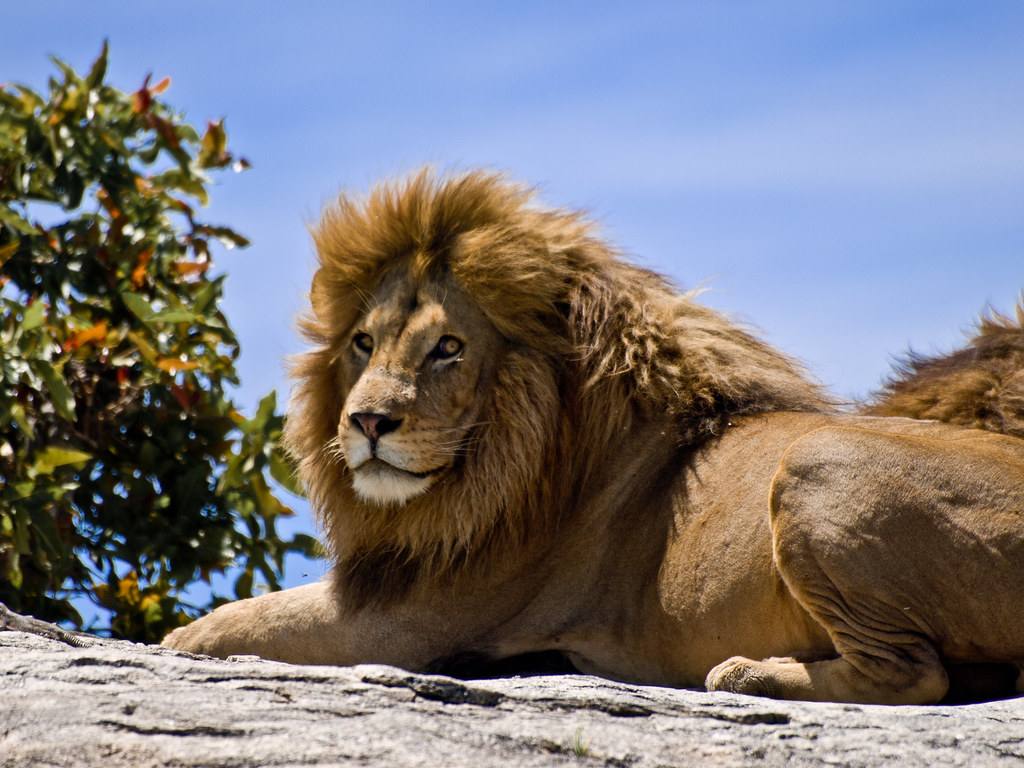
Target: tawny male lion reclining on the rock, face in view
point(520, 445)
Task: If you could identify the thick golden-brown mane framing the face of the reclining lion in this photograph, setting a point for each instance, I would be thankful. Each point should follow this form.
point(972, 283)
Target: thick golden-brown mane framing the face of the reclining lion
point(595, 345)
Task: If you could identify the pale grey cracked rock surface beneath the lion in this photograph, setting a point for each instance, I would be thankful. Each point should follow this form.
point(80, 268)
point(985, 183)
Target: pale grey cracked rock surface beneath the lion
point(115, 704)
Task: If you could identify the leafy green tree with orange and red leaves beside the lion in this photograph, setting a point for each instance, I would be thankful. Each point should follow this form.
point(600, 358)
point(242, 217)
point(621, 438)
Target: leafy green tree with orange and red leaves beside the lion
point(126, 473)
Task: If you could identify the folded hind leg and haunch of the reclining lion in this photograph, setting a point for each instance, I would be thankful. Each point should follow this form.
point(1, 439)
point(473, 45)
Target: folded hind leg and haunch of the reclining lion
point(898, 546)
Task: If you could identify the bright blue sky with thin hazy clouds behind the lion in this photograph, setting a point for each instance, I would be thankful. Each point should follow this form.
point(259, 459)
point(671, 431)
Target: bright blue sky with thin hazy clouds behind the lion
point(848, 176)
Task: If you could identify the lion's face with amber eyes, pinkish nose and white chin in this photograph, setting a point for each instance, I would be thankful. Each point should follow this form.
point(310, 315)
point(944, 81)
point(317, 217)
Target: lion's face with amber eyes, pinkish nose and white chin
point(416, 367)
